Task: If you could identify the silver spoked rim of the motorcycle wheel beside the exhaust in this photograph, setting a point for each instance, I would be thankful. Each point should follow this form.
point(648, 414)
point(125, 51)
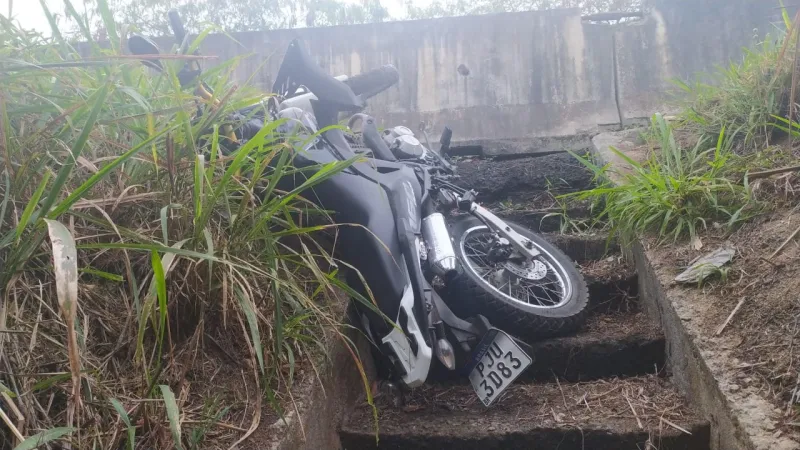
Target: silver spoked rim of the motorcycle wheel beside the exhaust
point(551, 292)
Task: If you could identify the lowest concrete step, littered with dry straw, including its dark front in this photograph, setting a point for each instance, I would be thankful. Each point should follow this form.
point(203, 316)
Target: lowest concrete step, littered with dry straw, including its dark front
point(616, 414)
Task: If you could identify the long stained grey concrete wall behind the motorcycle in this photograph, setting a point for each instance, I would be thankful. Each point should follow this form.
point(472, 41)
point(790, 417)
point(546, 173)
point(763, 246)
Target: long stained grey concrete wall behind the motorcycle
point(532, 74)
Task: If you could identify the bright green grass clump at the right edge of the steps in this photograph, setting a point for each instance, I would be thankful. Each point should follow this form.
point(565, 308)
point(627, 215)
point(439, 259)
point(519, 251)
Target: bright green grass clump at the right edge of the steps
point(675, 192)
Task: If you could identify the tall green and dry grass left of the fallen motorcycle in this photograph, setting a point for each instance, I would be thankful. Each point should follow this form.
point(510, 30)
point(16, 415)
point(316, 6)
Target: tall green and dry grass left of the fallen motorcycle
point(198, 277)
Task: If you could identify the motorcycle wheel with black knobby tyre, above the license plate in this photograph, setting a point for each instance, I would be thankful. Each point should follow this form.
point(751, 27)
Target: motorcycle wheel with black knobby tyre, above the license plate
point(542, 297)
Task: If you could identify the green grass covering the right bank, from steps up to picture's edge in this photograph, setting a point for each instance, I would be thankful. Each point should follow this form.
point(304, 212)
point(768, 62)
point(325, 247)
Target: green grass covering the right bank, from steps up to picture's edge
point(732, 122)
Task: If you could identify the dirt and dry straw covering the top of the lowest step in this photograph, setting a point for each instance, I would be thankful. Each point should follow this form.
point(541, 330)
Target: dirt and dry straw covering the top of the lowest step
point(616, 403)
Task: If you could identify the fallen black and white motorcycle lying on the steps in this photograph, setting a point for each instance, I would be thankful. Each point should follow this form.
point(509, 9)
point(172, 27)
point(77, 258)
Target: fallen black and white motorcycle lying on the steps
point(458, 282)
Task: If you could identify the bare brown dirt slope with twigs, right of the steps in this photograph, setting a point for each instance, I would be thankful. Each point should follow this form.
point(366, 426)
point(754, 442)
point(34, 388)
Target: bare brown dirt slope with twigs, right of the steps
point(763, 333)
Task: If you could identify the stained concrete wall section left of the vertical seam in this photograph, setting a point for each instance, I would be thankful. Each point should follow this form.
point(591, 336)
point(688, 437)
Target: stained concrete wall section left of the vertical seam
point(530, 74)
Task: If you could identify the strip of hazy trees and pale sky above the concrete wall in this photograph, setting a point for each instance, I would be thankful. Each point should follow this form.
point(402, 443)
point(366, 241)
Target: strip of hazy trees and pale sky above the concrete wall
point(146, 16)
